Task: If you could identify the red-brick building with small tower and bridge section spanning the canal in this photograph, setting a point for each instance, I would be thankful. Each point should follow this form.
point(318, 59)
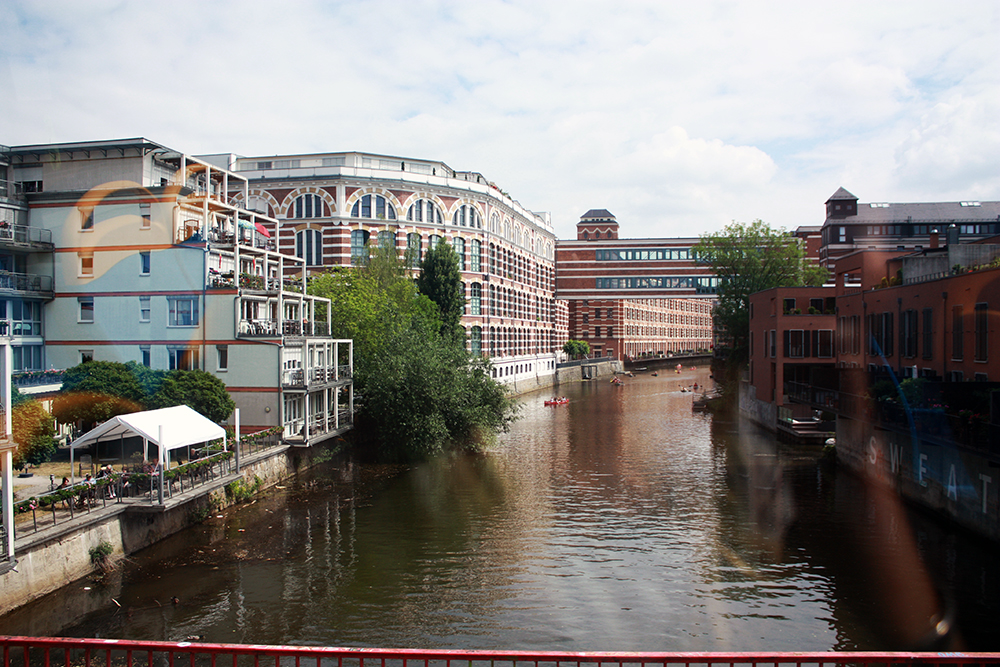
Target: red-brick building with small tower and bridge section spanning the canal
point(632, 298)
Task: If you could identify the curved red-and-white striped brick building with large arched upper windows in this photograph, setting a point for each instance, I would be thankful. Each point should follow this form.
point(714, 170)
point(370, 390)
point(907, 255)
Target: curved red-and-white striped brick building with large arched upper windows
point(324, 209)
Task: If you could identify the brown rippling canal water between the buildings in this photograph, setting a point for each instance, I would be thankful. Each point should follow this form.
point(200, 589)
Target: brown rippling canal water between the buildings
point(621, 521)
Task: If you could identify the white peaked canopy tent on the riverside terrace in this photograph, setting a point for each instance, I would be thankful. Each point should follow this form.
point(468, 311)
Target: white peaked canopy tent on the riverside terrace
point(167, 428)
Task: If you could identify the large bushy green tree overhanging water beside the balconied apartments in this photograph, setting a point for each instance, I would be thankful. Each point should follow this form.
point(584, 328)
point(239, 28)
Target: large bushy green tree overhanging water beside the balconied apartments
point(419, 391)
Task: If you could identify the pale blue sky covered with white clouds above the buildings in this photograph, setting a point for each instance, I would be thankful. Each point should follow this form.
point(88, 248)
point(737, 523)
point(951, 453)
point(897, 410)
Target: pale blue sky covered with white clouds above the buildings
point(678, 117)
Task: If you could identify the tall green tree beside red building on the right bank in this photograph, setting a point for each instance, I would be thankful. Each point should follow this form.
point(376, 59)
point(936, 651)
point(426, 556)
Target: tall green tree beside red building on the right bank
point(748, 258)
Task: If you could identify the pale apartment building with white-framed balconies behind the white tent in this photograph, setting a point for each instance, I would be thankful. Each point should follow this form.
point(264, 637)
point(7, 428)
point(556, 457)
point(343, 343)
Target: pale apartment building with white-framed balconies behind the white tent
point(128, 250)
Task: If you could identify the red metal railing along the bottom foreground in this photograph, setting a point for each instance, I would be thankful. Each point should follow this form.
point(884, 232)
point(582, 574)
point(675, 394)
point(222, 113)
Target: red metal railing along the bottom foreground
point(51, 651)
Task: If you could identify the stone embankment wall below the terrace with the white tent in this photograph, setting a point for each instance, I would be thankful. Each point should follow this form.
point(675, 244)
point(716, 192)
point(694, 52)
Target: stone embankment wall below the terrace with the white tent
point(62, 556)
